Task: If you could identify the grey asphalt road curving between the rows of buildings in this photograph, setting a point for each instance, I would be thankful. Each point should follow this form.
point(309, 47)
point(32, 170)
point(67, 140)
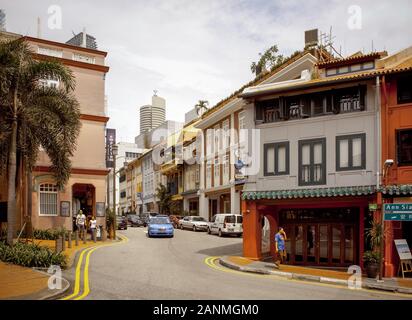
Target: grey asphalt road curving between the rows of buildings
point(175, 268)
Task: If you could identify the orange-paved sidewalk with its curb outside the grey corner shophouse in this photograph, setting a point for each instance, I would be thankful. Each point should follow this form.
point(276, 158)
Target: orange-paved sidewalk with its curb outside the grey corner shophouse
point(314, 274)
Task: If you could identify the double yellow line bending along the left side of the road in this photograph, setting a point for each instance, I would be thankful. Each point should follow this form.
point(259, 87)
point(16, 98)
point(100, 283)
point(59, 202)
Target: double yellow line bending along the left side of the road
point(86, 287)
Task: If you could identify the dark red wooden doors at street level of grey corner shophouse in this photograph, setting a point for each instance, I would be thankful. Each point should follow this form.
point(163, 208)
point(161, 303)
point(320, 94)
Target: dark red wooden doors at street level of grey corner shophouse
point(321, 236)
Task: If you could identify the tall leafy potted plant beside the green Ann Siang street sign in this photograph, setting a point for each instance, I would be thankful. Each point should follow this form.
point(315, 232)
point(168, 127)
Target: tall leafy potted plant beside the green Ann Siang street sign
point(372, 258)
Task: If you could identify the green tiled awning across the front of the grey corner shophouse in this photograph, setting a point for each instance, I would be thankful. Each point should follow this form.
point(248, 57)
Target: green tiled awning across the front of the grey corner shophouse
point(310, 193)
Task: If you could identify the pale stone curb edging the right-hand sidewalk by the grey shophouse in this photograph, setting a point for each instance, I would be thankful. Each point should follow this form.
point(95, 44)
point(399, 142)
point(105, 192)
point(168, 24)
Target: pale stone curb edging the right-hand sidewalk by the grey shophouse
point(304, 277)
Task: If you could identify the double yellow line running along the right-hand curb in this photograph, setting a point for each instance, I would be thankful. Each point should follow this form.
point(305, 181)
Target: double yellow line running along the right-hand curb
point(211, 262)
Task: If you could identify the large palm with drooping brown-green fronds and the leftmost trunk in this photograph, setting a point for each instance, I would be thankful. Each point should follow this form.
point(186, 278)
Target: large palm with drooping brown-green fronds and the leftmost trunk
point(34, 115)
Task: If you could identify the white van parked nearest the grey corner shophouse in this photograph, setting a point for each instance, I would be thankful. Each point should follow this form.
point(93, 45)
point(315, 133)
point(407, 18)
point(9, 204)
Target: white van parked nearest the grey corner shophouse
point(226, 223)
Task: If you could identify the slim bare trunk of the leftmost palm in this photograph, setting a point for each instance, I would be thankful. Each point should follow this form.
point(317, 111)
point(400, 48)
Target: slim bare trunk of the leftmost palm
point(11, 195)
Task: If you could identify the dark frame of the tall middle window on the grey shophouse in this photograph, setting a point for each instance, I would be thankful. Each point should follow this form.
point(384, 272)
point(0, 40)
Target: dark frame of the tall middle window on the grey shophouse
point(311, 143)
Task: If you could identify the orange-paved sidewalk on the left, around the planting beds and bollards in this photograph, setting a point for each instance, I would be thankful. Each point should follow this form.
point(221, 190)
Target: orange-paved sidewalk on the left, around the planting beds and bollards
point(22, 283)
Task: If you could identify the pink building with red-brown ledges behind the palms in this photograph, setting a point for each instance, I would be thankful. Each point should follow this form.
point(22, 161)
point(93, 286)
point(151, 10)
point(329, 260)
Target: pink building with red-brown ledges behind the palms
point(86, 188)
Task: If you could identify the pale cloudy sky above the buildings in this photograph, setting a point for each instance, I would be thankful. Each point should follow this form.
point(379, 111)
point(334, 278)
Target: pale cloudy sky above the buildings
point(191, 50)
